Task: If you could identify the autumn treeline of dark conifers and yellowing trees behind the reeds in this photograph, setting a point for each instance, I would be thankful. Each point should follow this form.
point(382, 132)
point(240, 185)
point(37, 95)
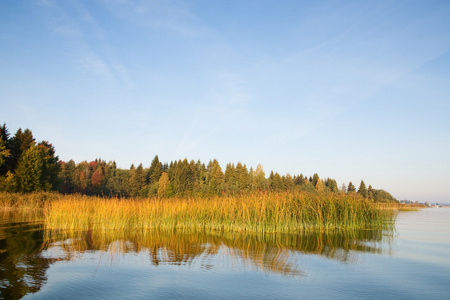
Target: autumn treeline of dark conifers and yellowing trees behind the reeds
point(27, 166)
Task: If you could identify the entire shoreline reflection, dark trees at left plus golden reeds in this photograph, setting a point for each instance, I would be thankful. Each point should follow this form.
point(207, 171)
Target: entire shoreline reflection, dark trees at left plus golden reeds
point(27, 250)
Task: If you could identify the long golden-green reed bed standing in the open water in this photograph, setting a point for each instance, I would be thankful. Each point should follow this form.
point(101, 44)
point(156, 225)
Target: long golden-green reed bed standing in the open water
point(287, 212)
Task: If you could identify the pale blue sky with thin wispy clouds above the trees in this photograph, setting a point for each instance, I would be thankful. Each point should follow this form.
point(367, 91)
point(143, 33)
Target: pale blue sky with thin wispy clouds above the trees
point(351, 90)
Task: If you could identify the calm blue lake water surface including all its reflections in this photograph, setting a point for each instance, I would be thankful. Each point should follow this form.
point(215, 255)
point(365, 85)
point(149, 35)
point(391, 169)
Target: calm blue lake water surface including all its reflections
point(410, 262)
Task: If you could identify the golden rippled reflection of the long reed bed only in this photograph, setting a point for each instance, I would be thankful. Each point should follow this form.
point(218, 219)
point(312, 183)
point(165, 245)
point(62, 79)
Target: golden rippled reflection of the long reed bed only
point(275, 253)
